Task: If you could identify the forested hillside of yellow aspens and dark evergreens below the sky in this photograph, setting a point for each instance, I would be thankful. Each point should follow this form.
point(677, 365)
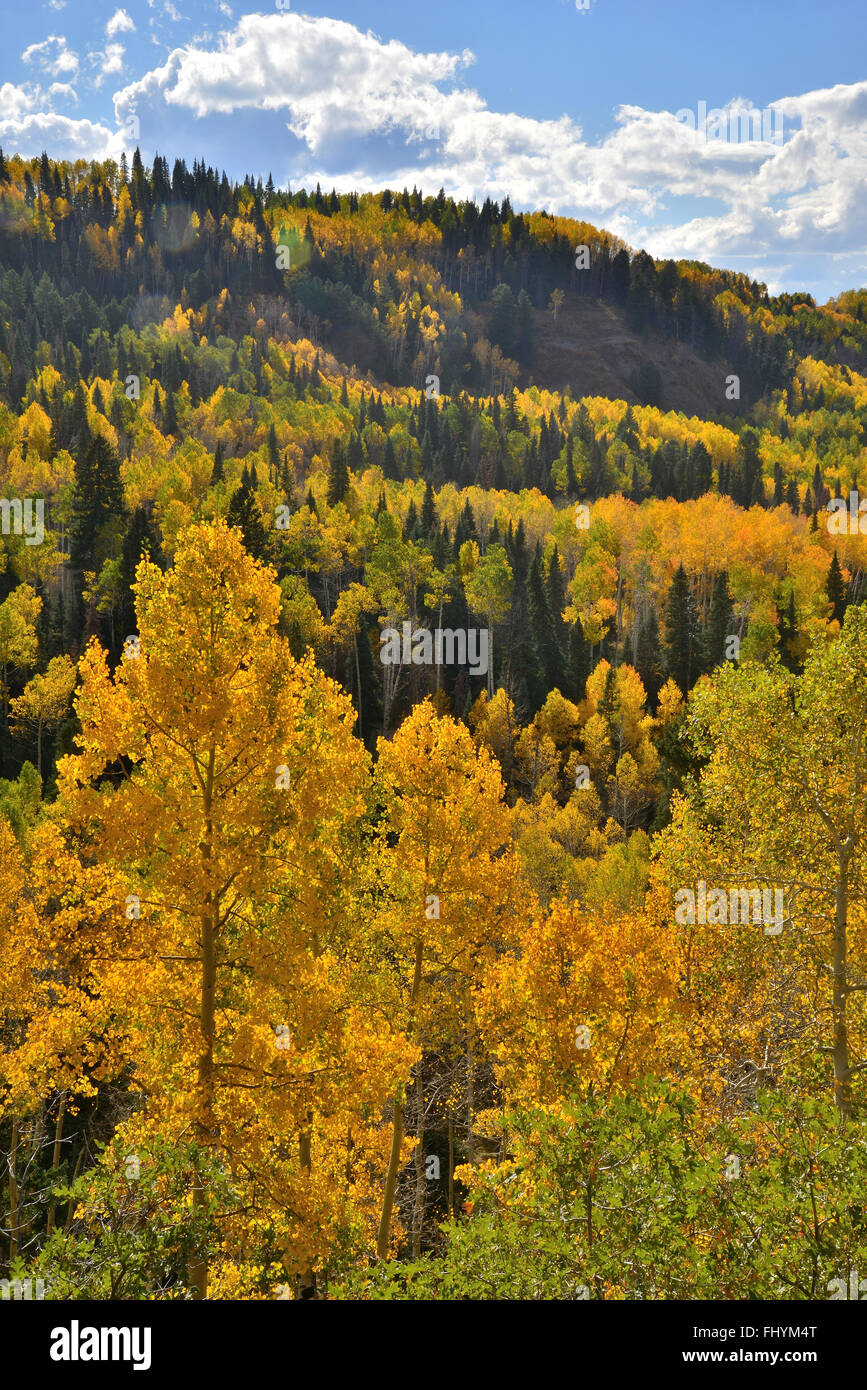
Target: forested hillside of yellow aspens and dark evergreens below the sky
point(433, 753)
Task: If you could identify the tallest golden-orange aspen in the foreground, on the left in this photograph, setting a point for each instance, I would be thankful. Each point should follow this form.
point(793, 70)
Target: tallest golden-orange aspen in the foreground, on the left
point(222, 778)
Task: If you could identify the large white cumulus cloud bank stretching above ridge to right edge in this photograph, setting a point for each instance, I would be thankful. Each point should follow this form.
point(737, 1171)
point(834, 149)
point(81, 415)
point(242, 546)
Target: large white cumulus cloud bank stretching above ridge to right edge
point(317, 99)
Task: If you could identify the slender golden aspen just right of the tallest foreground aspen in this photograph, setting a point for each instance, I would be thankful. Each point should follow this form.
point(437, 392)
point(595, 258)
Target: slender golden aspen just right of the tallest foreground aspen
point(448, 882)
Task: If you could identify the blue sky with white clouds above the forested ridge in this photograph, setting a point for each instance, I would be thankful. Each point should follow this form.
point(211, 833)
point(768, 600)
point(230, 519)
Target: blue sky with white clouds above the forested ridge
point(732, 133)
